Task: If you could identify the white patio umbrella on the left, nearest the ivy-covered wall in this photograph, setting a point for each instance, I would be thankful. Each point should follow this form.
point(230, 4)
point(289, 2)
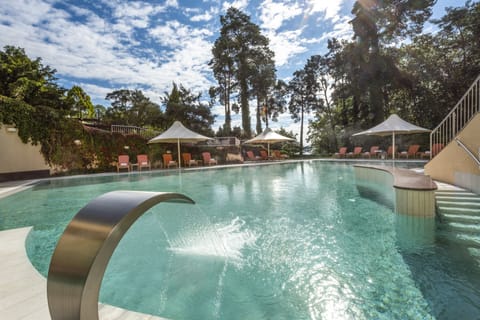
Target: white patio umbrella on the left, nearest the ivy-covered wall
point(178, 133)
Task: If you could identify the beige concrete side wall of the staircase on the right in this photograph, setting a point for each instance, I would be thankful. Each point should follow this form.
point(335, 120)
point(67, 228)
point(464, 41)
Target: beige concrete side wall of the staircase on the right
point(453, 165)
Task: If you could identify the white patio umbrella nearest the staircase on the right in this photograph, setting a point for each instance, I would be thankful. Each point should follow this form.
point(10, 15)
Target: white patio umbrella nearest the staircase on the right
point(393, 125)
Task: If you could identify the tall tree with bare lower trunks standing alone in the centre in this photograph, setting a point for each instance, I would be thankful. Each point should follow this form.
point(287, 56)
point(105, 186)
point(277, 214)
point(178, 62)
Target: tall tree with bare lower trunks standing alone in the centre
point(247, 49)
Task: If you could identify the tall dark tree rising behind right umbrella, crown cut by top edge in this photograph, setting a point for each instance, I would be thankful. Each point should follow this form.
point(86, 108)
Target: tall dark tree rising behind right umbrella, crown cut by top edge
point(381, 22)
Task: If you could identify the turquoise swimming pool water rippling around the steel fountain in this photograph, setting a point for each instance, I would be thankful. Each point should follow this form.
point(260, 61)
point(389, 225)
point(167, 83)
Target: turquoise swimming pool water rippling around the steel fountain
point(288, 241)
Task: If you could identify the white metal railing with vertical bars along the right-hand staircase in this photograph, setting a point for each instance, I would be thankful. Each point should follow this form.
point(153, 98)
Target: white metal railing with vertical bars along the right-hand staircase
point(465, 109)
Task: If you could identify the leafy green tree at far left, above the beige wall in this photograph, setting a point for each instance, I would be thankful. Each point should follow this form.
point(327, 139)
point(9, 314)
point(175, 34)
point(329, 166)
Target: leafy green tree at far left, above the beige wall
point(30, 99)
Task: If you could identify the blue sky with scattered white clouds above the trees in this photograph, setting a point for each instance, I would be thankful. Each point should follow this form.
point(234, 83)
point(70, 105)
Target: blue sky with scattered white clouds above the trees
point(105, 45)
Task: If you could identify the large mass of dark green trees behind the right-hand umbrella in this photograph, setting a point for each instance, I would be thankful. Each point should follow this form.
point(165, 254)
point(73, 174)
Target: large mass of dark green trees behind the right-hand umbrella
point(421, 81)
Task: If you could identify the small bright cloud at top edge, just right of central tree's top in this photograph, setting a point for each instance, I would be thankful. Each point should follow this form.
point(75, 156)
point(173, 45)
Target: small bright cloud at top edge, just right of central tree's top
point(274, 14)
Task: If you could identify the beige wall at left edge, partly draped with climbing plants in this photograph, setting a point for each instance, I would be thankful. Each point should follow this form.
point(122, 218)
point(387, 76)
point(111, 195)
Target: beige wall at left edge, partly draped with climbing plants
point(15, 156)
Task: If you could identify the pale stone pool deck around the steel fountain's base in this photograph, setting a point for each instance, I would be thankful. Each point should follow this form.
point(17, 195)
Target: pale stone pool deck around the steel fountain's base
point(24, 294)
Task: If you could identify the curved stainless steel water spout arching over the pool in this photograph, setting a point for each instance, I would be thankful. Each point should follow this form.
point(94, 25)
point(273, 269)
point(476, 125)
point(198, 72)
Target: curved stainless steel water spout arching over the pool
point(86, 246)
